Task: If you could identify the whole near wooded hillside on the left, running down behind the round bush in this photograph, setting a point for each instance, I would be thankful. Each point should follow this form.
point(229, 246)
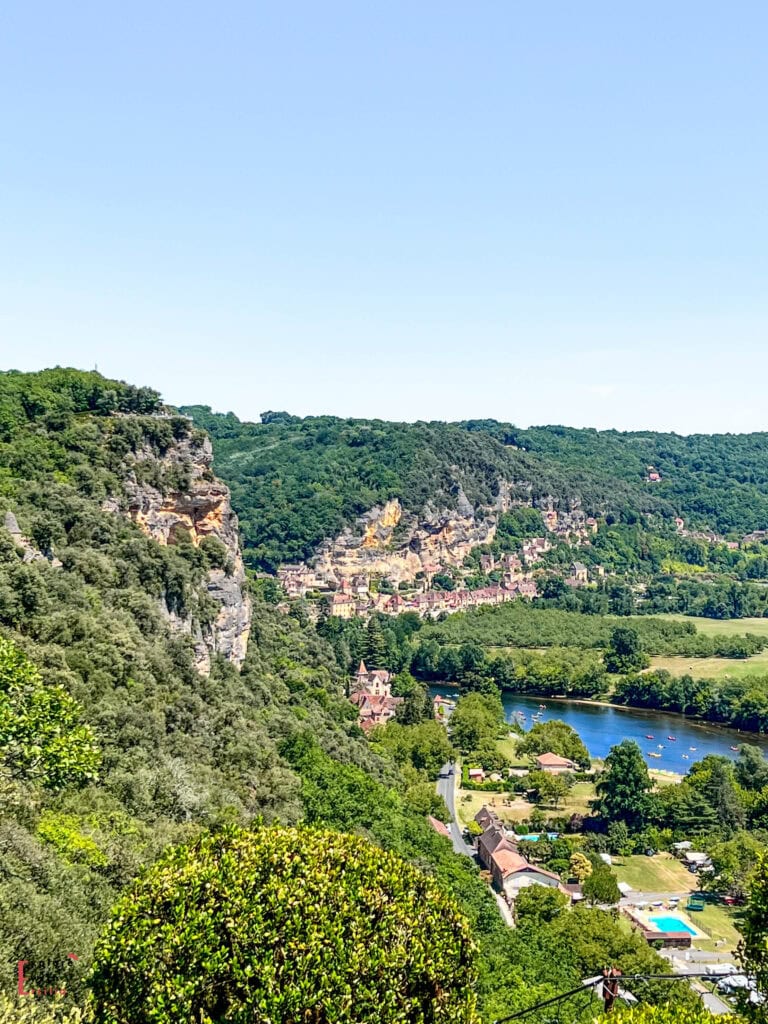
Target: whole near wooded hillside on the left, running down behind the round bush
point(113, 746)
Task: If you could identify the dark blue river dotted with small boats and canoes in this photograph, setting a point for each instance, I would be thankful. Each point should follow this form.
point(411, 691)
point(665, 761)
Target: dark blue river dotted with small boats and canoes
point(603, 728)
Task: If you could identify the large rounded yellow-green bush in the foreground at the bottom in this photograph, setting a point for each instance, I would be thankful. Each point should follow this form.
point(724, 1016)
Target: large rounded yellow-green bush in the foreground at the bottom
point(282, 925)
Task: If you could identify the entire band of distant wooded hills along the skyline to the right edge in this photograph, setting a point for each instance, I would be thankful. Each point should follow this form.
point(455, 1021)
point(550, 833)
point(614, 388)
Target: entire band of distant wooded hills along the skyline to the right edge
point(297, 482)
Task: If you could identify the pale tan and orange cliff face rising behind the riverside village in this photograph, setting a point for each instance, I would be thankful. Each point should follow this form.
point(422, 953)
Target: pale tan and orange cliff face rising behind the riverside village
point(389, 542)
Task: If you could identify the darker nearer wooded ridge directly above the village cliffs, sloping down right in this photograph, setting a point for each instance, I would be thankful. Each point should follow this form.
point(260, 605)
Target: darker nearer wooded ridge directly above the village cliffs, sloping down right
point(297, 482)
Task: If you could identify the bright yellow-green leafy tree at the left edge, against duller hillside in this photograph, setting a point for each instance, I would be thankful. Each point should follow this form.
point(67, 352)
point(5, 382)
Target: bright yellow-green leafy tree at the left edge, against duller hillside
point(41, 736)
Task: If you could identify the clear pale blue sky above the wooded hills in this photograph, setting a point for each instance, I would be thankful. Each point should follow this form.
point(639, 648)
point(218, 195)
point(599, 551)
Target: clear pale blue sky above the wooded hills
point(542, 212)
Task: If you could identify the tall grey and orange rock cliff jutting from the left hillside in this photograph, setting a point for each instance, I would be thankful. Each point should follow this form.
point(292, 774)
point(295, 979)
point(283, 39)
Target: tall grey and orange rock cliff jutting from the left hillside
point(201, 509)
